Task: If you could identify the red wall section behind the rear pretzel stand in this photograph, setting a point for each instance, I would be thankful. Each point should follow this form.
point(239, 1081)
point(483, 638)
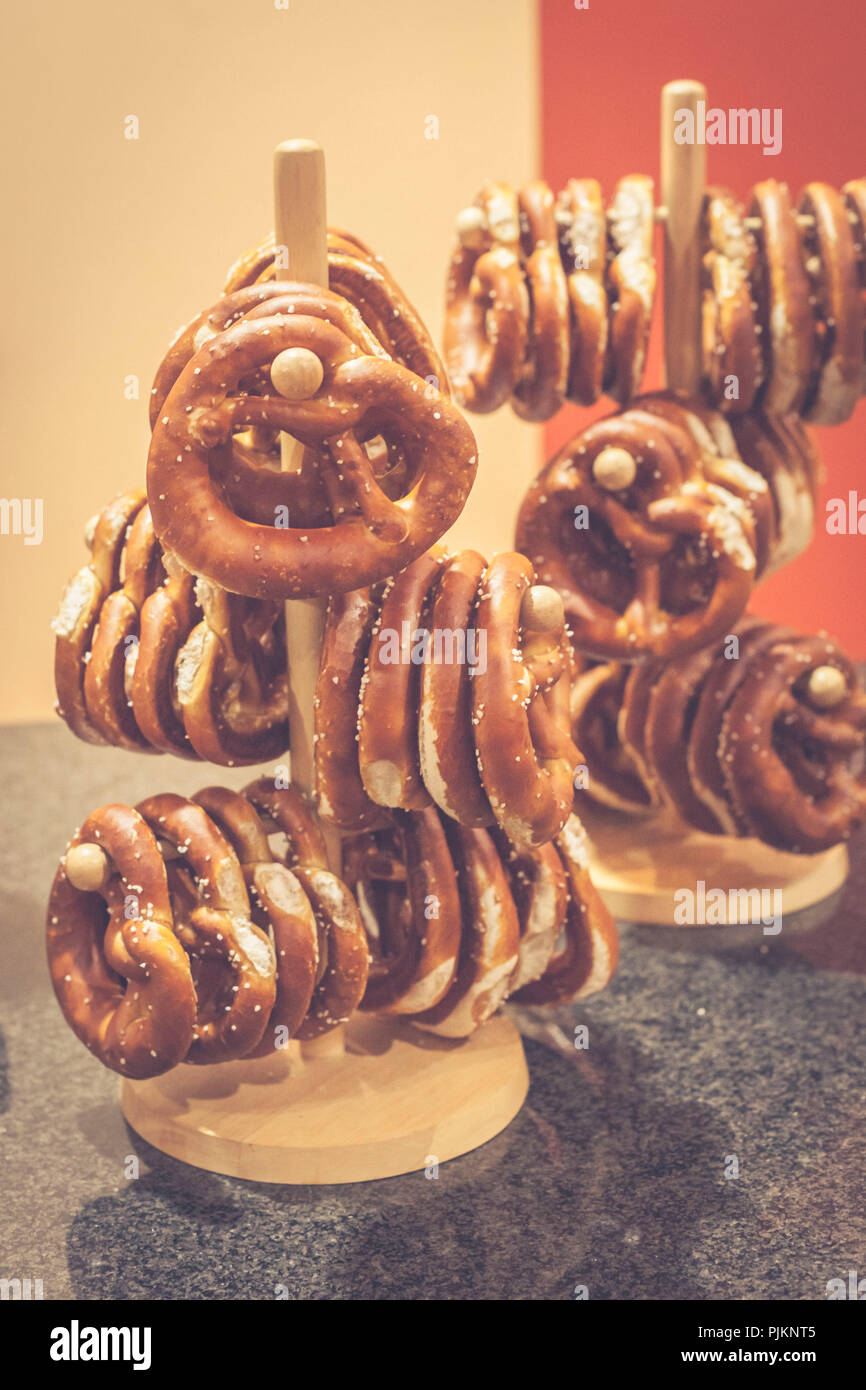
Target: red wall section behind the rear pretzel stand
point(603, 70)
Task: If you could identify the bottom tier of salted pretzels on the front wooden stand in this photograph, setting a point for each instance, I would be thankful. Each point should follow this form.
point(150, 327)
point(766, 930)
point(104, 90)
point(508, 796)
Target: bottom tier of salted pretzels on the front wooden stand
point(179, 932)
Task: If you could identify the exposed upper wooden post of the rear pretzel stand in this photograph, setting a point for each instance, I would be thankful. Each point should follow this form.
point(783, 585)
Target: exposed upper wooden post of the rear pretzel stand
point(683, 186)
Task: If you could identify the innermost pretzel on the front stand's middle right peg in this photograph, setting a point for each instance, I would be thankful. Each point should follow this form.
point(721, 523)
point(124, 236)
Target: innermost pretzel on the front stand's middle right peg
point(340, 792)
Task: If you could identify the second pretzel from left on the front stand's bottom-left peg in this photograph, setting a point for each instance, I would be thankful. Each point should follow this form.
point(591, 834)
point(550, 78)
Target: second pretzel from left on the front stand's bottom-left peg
point(233, 960)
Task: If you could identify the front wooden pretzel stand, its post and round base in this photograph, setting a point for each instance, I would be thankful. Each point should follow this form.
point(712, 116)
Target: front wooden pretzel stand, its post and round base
point(376, 1097)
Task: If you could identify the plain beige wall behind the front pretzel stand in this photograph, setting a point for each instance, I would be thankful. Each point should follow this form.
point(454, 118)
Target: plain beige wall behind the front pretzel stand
point(113, 243)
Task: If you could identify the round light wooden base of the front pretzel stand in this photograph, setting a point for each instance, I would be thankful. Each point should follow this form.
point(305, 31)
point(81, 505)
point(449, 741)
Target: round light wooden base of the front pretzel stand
point(395, 1102)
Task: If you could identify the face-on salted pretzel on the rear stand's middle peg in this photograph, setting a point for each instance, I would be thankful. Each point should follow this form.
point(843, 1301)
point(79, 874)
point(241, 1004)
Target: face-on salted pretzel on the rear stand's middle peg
point(650, 558)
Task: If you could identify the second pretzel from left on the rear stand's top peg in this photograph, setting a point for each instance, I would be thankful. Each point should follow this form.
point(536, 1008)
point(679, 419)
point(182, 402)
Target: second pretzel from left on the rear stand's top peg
point(541, 387)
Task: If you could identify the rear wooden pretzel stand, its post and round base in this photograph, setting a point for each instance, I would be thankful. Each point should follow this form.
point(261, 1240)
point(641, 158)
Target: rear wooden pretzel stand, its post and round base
point(639, 868)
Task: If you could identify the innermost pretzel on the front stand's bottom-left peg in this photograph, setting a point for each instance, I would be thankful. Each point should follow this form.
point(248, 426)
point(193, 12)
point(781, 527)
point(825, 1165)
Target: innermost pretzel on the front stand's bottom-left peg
point(344, 956)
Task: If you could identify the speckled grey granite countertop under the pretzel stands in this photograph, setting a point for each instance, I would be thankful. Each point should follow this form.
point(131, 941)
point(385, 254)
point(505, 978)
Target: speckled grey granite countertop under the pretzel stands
point(612, 1177)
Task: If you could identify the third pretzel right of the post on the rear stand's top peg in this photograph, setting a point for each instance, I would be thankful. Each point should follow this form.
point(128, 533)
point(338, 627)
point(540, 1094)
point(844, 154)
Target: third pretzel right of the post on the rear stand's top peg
point(840, 322)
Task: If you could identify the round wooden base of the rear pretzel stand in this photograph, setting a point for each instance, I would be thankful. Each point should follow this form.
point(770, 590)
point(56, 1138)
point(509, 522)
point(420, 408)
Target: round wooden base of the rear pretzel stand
point(640, 864)
